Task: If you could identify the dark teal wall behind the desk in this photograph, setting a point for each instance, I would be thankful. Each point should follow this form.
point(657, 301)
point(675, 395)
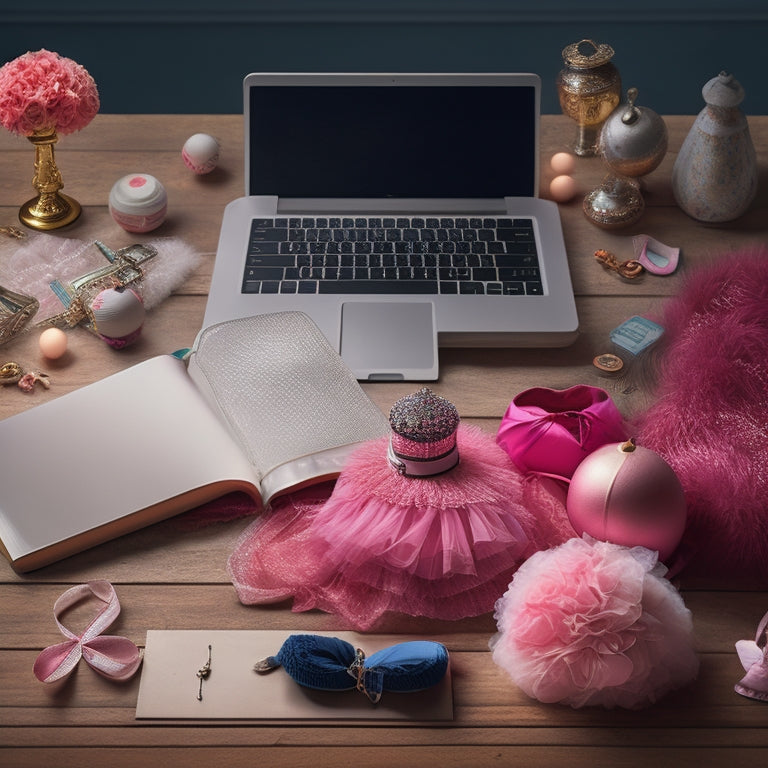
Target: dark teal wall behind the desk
point(173, 56)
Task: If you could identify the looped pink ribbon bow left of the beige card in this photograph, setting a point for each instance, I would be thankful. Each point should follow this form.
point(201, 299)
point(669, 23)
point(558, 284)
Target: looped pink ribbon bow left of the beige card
point(114, 657)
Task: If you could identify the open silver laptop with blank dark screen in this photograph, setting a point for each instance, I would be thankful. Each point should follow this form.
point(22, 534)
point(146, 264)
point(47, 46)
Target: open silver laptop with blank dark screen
point(398, 211)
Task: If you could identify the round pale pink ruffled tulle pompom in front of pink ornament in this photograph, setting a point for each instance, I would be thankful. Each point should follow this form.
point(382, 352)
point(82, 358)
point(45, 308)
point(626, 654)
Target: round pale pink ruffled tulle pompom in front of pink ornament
point(594, 623)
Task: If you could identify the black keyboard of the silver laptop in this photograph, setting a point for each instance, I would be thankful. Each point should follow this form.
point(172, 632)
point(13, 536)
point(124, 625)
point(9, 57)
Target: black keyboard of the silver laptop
point(375, 254)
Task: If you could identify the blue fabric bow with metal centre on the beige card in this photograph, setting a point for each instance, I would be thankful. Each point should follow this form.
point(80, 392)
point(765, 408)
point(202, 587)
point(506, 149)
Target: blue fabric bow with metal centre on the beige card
point(332, 664)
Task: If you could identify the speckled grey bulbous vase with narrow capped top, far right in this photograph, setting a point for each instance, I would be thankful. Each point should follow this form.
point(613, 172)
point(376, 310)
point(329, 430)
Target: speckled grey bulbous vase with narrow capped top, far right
point(714, 178)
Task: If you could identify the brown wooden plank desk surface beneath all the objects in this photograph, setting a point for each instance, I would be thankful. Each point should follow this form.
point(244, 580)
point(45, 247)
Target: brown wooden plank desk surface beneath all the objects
point(172, 577)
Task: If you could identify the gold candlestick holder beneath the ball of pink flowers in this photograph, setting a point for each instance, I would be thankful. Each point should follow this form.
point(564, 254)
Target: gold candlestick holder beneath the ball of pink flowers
point(51, 208)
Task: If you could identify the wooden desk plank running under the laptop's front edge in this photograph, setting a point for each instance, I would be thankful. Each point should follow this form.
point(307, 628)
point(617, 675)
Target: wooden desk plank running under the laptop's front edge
point(481, 382)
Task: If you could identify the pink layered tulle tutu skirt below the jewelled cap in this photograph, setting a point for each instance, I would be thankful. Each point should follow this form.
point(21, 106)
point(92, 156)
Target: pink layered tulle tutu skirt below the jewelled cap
point(441, 547)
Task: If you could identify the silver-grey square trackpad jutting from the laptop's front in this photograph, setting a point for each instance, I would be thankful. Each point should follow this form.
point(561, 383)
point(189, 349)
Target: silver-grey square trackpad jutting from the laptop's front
point(389, 340)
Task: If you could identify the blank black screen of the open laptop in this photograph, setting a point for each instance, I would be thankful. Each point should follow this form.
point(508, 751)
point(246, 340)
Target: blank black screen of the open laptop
point(421, 141)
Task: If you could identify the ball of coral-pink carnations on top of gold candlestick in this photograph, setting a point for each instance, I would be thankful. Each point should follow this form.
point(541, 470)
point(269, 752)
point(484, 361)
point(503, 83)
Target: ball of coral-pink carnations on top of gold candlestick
point(43, 91)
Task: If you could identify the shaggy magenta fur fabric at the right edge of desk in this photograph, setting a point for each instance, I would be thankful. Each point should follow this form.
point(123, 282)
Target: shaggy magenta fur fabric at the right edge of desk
point(710, 416)
